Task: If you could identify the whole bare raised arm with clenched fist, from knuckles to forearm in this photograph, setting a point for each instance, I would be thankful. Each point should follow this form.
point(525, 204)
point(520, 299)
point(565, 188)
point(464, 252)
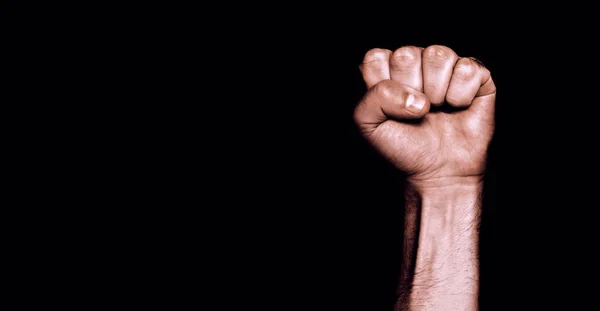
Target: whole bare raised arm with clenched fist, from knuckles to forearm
point(431, 114)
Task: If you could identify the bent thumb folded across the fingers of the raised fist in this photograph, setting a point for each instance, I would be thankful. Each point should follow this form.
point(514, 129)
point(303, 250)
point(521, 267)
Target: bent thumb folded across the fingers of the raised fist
point(390, 100)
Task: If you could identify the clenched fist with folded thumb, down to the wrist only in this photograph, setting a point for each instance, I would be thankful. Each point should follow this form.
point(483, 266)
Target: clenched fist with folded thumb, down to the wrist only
point(428, 111)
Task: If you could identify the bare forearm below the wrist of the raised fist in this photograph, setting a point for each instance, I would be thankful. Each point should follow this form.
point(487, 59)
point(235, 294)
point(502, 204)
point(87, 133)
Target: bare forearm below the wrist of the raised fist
point(446, 264)
